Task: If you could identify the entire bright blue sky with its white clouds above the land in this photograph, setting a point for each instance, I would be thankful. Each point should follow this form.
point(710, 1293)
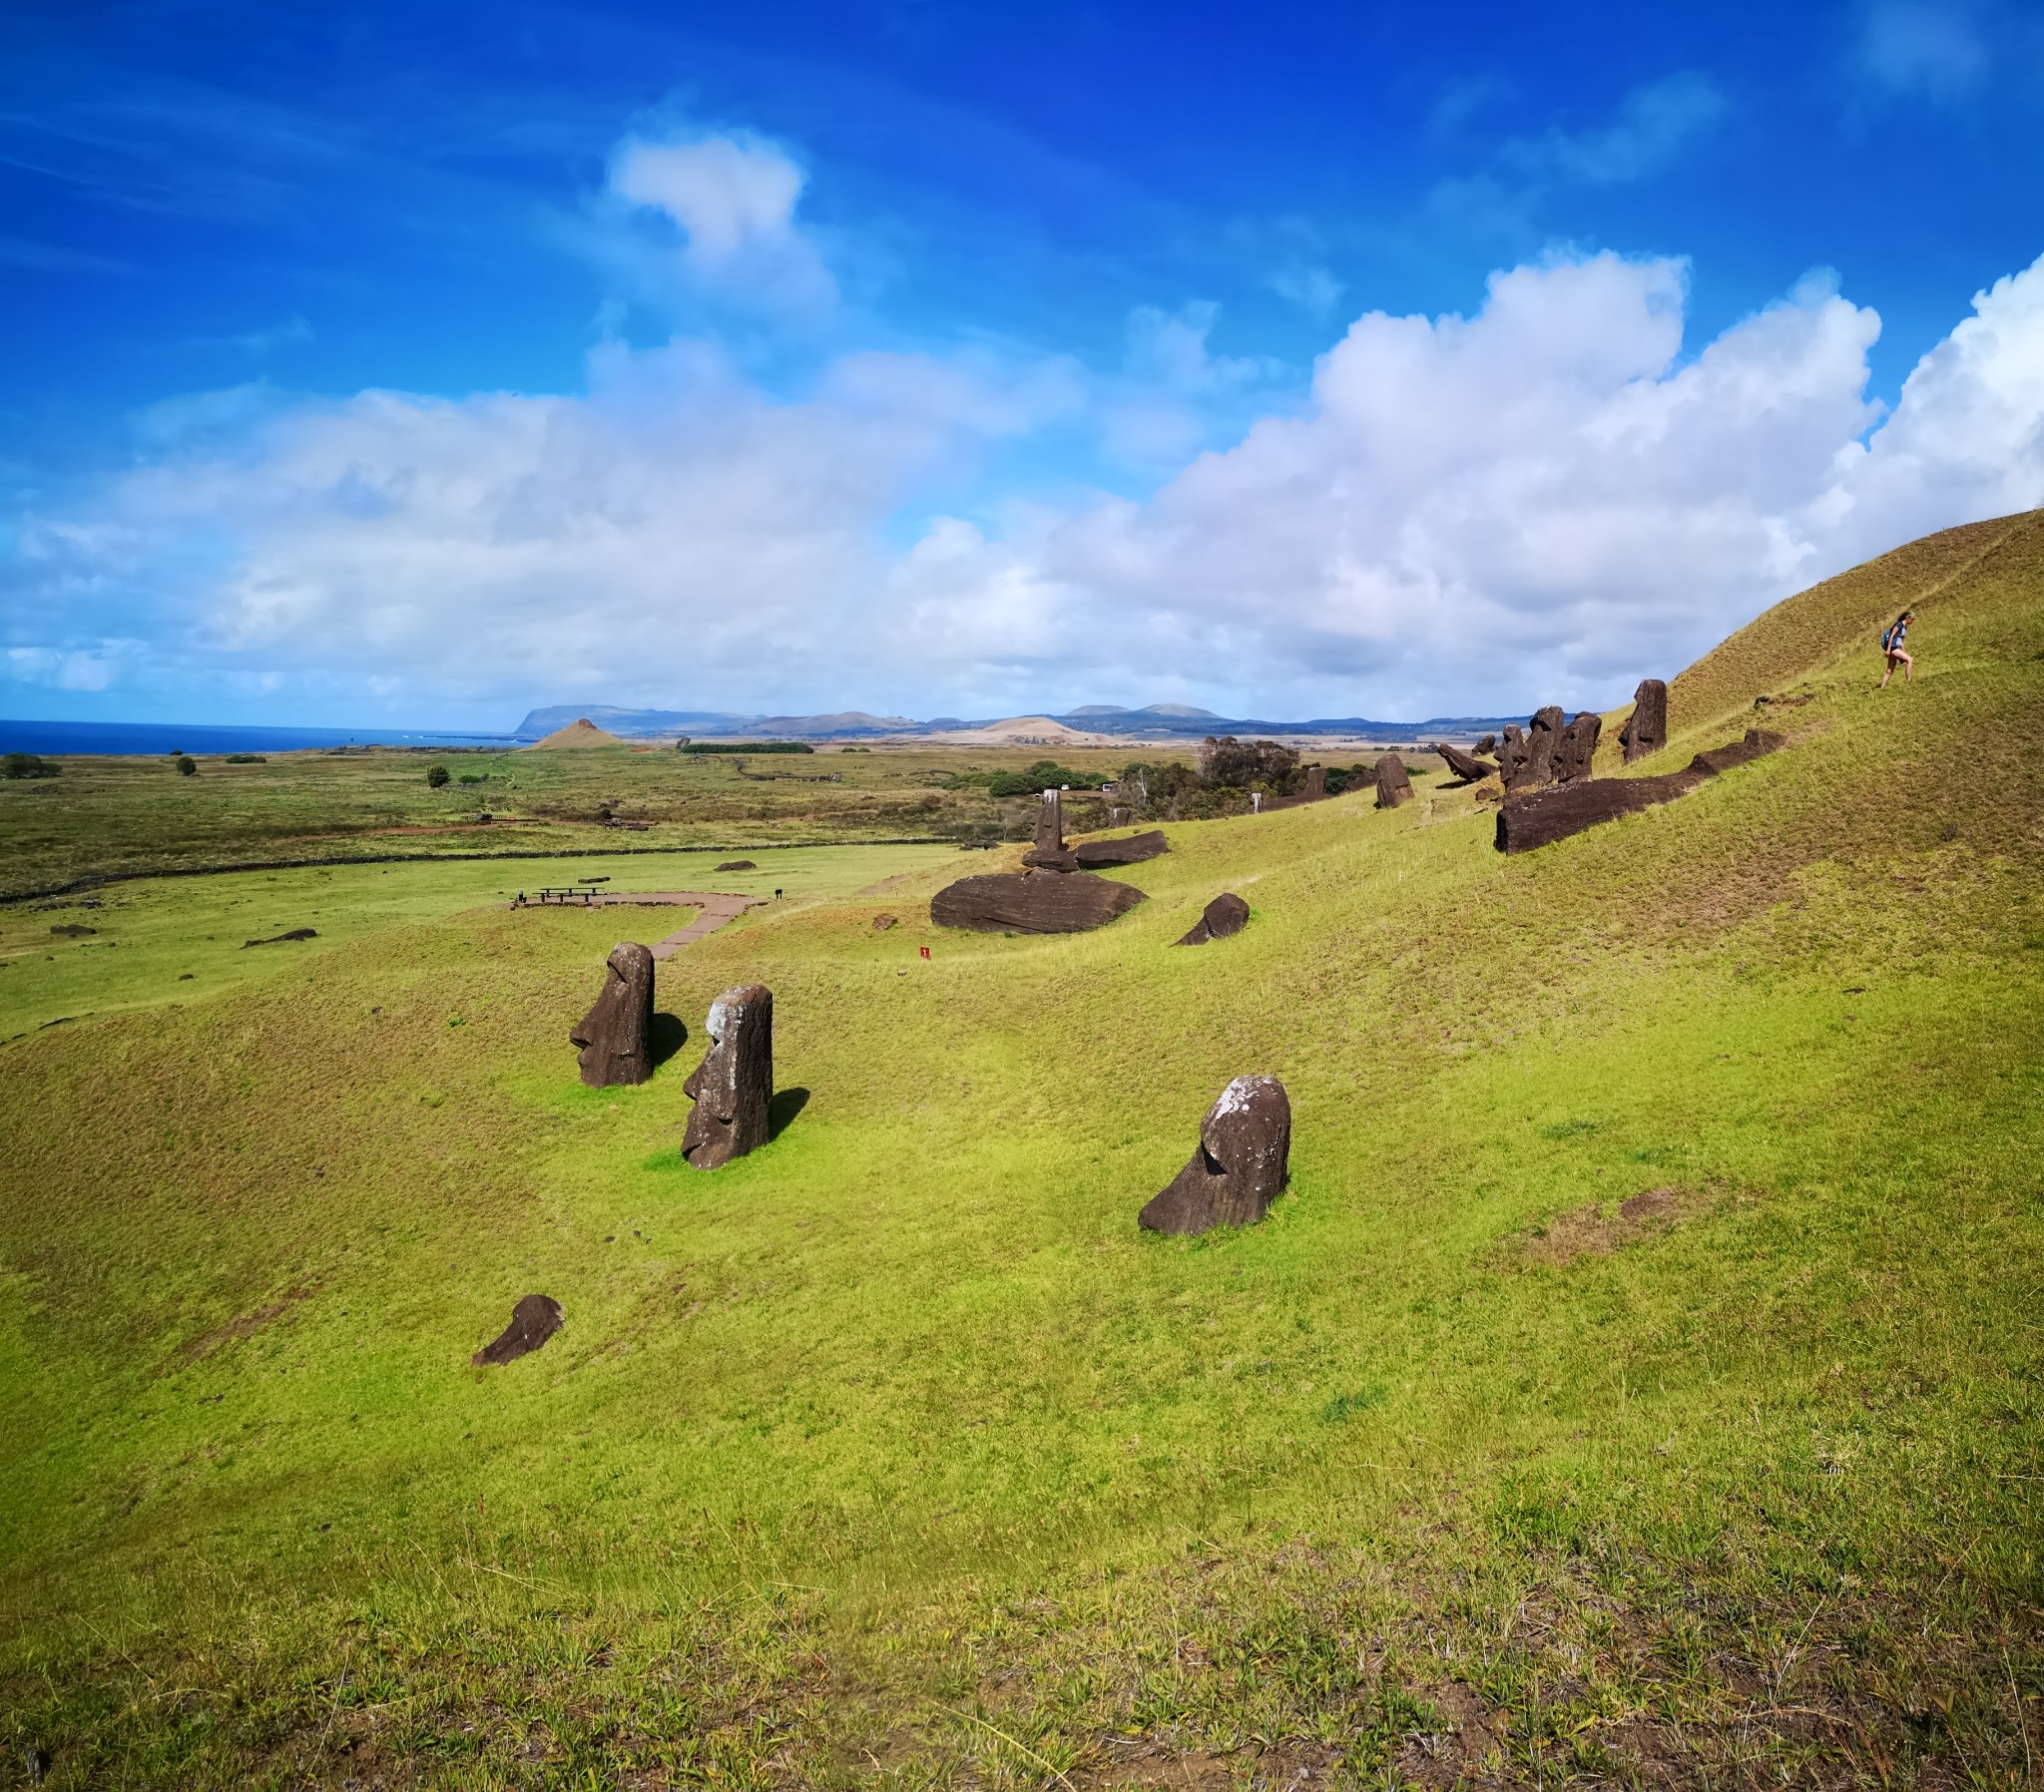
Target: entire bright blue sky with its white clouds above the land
point(984, 359)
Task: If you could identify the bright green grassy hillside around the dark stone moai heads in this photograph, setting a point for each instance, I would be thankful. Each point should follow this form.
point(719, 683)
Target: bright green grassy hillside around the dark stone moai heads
point(896, 1456)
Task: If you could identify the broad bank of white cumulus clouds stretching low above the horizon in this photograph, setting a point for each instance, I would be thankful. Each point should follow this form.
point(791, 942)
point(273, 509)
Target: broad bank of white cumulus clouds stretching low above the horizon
point(1540, 502)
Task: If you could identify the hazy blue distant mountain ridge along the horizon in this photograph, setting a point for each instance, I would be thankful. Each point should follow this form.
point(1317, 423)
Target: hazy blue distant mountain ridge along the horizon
point(1172, 720)
